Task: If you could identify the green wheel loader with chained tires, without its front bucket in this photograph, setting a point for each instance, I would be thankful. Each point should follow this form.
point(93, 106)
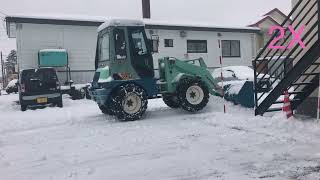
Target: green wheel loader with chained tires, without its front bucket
point(125, 75)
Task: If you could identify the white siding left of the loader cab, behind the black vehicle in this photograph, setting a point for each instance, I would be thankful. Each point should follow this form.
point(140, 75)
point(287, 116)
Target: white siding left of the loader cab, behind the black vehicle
point(79, 41)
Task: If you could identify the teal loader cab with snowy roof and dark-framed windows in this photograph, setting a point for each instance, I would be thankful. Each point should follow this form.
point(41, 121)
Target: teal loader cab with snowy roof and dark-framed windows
point(123, 47)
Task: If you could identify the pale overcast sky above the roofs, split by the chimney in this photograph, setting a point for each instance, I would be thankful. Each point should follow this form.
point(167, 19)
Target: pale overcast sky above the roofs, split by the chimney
point(218, 12)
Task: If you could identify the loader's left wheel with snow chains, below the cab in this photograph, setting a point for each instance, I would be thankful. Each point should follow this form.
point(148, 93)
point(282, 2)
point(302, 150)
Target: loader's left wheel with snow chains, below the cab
point(131, 102)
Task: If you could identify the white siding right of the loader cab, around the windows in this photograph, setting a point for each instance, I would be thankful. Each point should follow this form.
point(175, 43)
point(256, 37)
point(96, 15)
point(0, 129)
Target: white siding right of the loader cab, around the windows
point(179, 49)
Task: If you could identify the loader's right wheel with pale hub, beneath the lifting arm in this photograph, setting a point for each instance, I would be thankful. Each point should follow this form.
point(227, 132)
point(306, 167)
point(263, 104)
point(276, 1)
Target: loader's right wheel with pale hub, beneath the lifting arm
point(193, 95)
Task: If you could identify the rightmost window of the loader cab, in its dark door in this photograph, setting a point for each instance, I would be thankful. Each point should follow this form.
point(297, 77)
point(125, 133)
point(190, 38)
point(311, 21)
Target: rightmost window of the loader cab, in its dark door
point(139, 43)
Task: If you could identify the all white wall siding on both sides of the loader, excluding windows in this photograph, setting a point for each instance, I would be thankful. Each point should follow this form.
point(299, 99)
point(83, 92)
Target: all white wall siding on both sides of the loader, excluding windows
point(80, 42)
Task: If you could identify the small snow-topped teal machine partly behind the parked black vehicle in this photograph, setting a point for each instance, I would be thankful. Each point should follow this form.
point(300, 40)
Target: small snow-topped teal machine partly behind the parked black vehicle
point(58, 58)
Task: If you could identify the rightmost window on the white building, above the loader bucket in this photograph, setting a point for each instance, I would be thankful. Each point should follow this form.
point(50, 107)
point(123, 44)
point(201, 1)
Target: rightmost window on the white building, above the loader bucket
point(231, 48)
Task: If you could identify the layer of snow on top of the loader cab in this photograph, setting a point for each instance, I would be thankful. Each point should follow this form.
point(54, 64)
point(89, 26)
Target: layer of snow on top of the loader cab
point(120, 22)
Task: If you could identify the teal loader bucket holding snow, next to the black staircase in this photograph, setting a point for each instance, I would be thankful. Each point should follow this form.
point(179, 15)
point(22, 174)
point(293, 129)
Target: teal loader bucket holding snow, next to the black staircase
point(241, 93)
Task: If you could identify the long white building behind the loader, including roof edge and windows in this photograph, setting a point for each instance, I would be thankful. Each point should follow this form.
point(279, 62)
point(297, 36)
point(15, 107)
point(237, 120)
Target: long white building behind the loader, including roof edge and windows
point(79, 36)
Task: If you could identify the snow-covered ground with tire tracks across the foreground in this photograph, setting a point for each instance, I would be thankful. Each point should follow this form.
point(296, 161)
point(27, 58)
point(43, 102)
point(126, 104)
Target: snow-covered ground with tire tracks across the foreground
point(79, 143)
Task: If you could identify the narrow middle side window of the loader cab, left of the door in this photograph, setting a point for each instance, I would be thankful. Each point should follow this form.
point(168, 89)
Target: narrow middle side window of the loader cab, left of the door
point(120, 44)
